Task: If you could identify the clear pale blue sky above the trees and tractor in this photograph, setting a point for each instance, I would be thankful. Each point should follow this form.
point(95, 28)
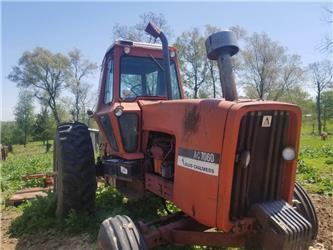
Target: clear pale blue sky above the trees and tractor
point(62, 26)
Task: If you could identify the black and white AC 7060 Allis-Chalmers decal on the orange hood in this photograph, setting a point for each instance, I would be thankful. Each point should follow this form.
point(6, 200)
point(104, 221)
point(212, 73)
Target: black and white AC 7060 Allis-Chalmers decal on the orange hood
point(204, 162)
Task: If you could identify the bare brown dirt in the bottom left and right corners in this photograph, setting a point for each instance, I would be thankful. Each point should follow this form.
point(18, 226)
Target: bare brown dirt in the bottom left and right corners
point(47, 240)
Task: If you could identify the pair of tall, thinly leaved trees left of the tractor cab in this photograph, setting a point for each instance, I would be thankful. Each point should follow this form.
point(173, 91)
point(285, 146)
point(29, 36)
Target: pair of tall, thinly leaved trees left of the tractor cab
point(48, 74)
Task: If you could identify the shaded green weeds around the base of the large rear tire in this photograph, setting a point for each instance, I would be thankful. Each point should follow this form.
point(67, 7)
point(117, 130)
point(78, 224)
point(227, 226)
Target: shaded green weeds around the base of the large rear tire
point(39, 215)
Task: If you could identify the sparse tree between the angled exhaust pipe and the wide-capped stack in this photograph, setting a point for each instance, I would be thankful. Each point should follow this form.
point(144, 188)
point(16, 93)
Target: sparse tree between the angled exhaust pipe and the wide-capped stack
point(193, 60)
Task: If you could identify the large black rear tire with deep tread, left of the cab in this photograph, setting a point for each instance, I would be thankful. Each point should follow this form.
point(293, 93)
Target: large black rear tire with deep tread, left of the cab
point(75, 184)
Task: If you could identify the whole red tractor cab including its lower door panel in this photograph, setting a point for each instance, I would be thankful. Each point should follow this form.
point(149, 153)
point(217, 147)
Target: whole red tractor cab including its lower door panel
point(133, 71)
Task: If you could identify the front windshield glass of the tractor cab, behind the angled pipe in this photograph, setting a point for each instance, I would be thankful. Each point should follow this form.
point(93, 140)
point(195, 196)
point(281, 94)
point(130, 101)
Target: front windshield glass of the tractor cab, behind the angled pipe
point(144, 76)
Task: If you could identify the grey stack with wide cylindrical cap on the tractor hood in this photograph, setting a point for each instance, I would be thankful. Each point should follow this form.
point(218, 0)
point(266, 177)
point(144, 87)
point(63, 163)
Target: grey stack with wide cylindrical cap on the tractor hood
point(221, 46)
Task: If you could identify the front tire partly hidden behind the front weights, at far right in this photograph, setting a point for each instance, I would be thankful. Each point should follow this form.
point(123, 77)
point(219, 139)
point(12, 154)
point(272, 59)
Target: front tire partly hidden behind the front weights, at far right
point(305, 207)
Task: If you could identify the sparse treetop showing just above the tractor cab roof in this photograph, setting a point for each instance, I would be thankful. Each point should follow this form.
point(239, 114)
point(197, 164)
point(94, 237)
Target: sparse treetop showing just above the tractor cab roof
point(137, 31)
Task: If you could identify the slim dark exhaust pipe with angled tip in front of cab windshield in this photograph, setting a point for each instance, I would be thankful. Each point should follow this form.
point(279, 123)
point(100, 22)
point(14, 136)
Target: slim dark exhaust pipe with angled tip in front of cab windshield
point(155, 32)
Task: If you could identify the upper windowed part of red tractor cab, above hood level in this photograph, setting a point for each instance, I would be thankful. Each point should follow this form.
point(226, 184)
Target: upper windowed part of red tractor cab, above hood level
point(134, 71)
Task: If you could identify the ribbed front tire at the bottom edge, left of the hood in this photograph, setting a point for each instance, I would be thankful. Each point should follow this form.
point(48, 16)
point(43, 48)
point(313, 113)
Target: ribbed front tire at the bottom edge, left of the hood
point(119, 233)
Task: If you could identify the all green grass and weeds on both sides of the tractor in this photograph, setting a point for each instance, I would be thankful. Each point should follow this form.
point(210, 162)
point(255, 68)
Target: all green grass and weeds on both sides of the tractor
point(314, 172)
